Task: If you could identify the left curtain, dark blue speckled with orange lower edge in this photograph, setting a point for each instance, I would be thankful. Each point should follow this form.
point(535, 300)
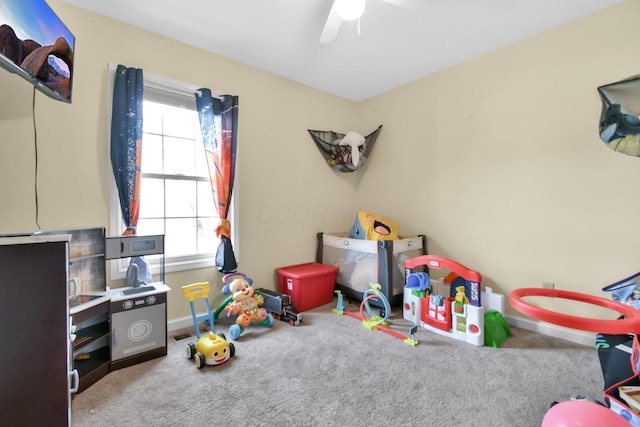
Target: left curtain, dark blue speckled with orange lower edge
point(126, 142)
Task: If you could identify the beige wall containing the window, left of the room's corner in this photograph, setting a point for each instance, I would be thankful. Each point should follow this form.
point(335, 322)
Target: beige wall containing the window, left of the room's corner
point(286, 191)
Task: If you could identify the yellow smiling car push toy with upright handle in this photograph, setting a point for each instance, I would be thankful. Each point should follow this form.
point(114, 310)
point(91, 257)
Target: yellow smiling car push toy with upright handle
point(212, 348)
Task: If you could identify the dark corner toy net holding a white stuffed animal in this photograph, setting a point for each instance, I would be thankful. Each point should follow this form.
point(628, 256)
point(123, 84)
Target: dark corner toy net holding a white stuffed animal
point(345, 152)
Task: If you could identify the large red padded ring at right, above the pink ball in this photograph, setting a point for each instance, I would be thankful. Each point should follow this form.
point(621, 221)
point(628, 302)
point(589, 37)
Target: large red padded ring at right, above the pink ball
point(630, 324)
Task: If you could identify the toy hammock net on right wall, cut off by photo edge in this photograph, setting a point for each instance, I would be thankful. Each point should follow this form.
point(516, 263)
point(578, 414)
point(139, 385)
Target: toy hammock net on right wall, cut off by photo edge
point(619, 120)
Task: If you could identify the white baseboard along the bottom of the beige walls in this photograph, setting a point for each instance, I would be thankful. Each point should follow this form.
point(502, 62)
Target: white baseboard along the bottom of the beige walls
point(572, 335)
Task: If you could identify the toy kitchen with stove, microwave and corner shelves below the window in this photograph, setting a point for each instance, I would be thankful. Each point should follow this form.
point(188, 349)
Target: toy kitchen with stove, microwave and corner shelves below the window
point(118, 327)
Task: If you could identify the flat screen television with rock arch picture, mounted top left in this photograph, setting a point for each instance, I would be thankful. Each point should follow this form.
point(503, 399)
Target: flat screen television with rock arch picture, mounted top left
point(36, 45)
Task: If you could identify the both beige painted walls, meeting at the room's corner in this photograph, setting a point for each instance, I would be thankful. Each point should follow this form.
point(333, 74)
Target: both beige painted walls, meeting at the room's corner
point(496, 160)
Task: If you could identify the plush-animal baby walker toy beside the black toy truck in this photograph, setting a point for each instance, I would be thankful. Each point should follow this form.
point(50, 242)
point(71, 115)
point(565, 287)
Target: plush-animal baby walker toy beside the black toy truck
point(244, 302)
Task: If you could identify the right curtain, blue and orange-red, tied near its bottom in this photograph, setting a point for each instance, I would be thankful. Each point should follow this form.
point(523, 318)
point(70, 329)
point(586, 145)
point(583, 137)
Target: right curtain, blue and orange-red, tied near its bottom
point(219, 126)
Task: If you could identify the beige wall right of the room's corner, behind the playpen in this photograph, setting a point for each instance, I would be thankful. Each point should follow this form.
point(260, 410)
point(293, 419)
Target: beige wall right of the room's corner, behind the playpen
point(499, 162)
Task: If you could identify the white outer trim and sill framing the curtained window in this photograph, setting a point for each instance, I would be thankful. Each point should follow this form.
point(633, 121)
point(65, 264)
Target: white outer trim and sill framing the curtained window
point(118, 270)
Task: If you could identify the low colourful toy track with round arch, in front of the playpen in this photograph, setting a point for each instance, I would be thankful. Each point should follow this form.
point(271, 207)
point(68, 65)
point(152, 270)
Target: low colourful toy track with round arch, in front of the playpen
point(369, 319)
